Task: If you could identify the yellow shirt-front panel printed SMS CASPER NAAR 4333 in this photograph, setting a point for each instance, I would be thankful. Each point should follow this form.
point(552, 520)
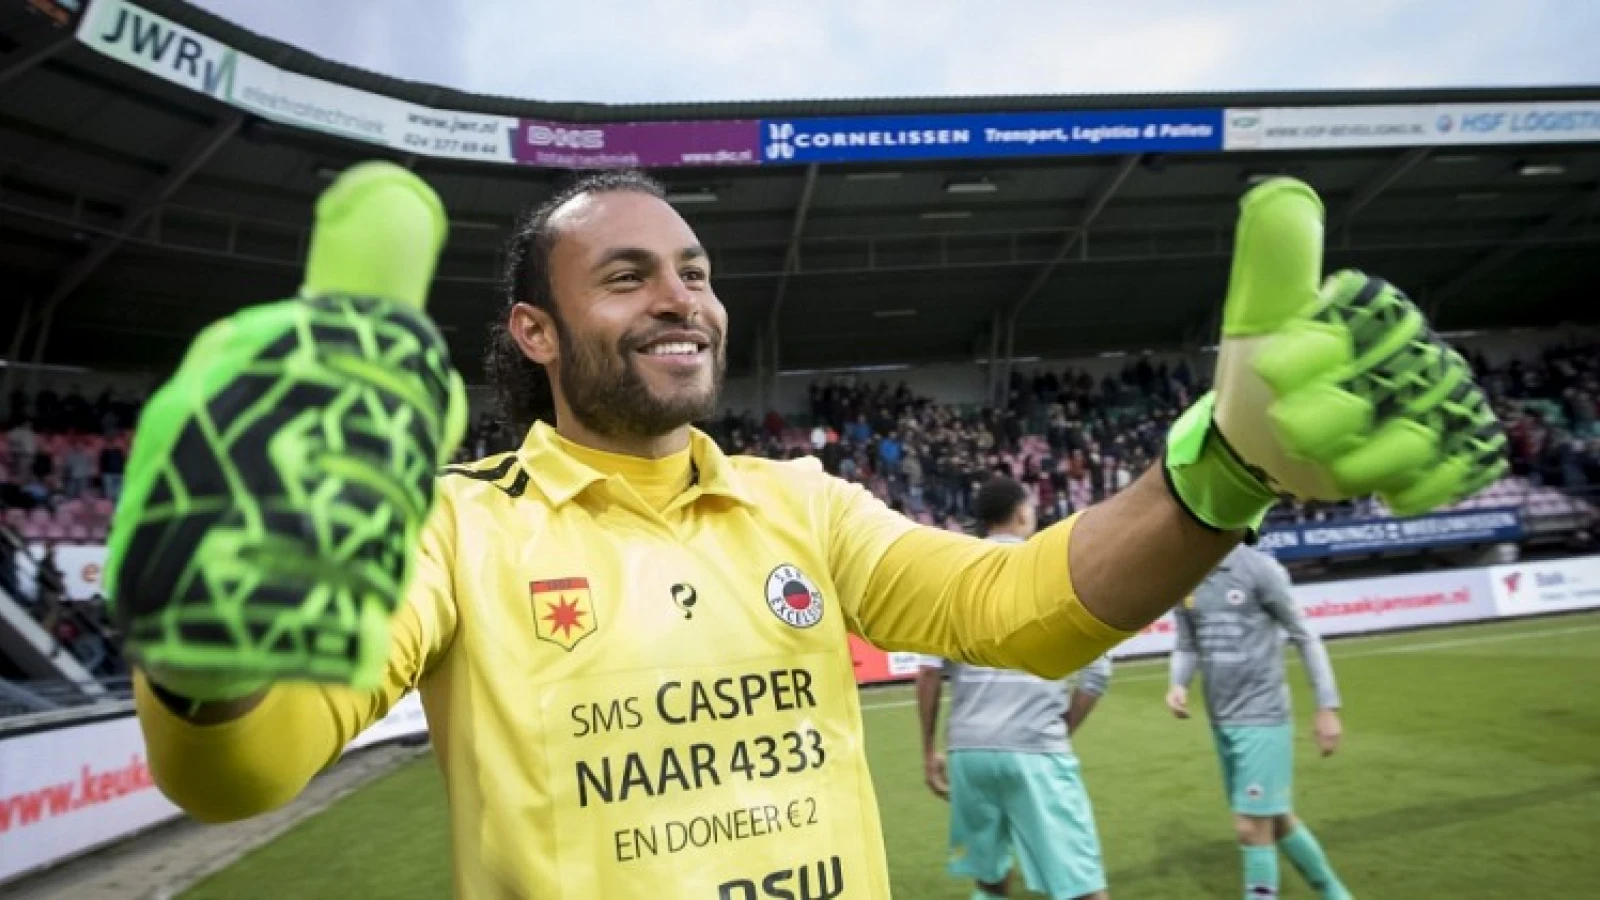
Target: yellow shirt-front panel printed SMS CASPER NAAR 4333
point(721, 782)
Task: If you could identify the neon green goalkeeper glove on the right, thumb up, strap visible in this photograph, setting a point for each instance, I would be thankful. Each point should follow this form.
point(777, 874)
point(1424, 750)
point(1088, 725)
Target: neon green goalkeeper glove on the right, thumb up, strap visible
point(1326, 393)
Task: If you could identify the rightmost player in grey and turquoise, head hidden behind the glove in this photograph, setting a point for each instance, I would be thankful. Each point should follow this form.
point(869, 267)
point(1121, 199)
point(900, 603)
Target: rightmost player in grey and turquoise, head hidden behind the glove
point(1231, 630)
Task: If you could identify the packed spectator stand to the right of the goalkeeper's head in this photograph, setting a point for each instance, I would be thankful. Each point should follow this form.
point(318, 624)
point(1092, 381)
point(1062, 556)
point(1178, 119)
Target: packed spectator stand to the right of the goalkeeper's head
point(1074, 441)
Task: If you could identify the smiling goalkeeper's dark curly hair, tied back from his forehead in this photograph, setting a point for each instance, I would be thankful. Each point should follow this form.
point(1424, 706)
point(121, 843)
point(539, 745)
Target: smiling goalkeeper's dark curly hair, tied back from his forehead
point(522, 390)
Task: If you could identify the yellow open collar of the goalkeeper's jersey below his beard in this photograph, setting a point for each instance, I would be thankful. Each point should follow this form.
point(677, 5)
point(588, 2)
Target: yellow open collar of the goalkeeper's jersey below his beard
point(562, 470)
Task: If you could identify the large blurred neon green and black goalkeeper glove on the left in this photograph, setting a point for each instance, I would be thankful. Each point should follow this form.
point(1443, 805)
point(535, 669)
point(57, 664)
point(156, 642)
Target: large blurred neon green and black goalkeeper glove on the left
point(279, 481)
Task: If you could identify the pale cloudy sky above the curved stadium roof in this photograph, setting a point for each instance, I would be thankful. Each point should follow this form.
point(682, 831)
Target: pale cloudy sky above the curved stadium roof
point(719, 50)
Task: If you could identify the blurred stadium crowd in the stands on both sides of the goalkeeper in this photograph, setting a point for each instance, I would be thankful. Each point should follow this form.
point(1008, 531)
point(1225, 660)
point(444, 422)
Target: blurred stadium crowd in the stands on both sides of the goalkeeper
point(1073, 440)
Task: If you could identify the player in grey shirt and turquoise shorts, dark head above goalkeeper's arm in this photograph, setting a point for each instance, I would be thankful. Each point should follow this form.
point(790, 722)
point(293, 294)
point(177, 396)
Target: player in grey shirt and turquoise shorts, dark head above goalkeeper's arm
point(1010, 774)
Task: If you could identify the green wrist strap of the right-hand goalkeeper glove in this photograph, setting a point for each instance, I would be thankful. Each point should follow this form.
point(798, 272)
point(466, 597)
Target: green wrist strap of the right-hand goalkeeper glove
point(1209, 480)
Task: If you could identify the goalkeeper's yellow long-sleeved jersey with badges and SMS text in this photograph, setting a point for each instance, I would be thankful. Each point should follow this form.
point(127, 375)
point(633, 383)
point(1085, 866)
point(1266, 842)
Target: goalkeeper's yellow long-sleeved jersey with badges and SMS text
point(638, 675)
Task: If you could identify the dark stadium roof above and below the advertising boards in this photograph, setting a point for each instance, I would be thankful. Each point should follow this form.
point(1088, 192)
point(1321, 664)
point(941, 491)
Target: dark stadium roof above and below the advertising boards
point(150, 211)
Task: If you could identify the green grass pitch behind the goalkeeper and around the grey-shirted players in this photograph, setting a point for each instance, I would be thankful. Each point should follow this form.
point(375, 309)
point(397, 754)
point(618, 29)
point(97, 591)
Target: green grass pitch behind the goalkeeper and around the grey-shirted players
point(1471, 768)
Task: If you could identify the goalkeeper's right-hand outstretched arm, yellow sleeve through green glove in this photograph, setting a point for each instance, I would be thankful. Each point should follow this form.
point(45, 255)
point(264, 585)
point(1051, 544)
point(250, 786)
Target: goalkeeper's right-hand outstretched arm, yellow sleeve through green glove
point(1324, 392)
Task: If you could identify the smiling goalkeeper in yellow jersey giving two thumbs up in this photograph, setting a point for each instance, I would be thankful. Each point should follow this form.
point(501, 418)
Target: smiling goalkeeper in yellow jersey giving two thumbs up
point(287, 566)
